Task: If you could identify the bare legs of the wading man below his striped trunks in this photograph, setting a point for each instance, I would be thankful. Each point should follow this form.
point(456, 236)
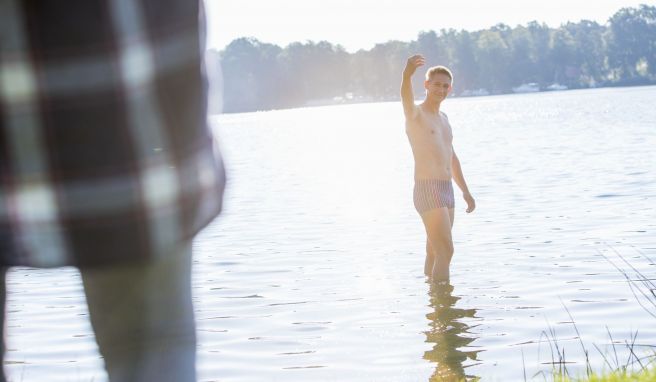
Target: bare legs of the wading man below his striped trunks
point(437, 223)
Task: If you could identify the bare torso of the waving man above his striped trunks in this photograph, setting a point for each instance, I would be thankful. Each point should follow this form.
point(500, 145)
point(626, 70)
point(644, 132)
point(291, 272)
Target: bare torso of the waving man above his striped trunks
point(431, 140)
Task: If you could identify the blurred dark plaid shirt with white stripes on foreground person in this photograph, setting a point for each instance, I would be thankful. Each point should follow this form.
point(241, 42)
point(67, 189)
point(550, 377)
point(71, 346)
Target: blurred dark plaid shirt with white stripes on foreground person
point(105, 155)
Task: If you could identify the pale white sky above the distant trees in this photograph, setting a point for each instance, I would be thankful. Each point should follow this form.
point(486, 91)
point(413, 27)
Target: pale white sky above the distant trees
point(360, 24)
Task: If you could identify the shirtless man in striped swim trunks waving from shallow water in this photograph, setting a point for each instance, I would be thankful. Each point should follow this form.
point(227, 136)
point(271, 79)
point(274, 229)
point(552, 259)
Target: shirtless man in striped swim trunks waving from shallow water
point(436, 163)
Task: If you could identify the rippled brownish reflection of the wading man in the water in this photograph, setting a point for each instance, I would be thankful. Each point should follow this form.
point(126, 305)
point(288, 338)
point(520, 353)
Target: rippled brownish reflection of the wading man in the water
point(449, 334)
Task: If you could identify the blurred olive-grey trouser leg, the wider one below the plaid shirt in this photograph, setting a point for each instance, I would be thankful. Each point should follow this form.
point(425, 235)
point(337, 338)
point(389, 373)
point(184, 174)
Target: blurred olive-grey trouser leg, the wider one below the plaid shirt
point(142, 316)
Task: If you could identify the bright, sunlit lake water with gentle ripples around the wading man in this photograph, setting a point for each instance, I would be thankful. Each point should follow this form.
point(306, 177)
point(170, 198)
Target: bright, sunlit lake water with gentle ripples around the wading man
point(315, 269)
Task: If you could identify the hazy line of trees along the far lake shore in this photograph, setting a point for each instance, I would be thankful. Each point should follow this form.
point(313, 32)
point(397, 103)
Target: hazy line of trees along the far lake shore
point(262, 76)
